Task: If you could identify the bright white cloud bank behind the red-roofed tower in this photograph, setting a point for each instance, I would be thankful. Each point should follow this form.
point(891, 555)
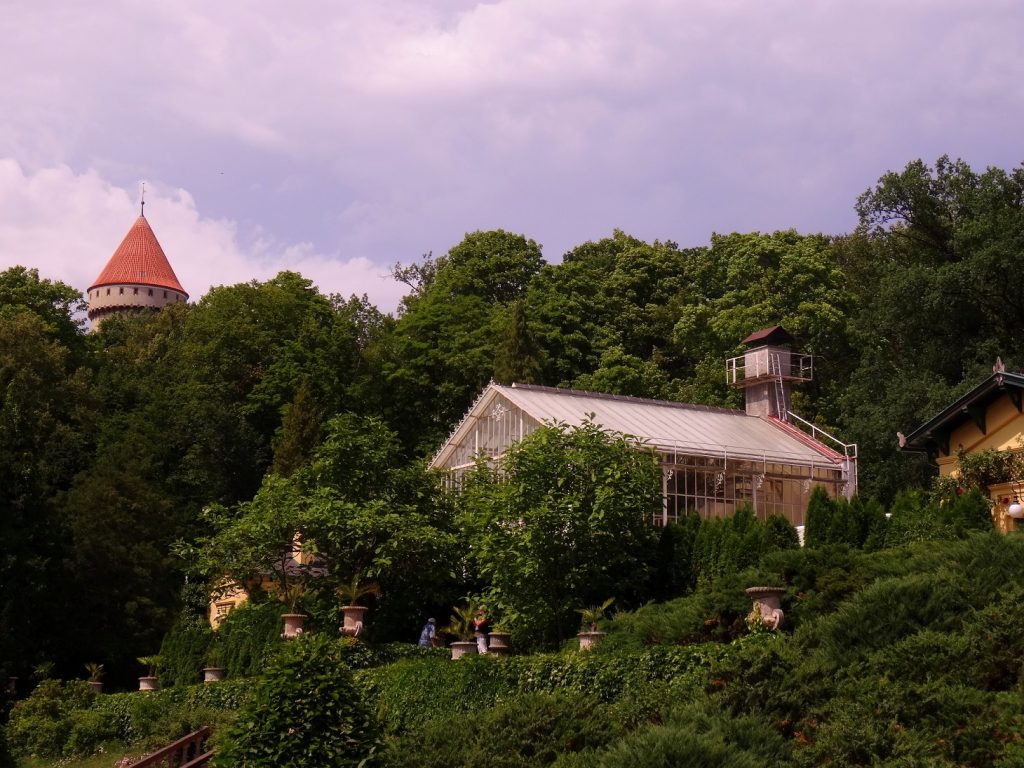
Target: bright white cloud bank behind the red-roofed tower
point(68, 226)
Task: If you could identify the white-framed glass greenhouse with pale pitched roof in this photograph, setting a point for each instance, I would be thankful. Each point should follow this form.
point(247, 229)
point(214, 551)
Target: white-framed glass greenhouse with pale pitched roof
point(713, 460)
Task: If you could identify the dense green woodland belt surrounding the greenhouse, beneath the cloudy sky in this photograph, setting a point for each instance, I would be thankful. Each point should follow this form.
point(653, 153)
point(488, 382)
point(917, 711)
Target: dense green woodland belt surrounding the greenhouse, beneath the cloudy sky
point(199, 424)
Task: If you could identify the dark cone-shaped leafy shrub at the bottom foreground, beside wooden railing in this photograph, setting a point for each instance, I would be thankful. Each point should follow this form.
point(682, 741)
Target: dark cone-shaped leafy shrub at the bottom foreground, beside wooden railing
point(305, 712)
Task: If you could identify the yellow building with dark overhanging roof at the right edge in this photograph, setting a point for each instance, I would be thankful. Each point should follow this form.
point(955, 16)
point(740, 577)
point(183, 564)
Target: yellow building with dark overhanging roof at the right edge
point(990, 417)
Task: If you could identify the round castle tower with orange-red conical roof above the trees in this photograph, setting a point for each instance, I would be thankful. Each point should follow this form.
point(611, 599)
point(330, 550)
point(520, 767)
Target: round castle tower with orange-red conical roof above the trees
point(138, 277)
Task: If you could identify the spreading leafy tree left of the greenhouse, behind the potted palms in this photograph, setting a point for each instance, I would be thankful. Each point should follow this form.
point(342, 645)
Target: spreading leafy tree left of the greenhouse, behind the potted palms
point(361, 515)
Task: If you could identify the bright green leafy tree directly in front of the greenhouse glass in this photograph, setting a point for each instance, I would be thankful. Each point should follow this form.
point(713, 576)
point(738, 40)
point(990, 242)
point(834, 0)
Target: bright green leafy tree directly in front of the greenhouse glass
point(563, 524)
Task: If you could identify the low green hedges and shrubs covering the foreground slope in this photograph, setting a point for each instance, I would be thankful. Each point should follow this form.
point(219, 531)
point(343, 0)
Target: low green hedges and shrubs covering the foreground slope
point(900, 656)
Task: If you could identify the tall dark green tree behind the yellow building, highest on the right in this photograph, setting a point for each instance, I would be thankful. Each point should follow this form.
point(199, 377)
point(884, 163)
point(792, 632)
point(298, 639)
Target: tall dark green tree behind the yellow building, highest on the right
point(929, 266)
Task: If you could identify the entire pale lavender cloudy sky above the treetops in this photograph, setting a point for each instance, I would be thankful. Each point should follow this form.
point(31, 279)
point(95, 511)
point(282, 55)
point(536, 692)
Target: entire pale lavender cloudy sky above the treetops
point(338, 139)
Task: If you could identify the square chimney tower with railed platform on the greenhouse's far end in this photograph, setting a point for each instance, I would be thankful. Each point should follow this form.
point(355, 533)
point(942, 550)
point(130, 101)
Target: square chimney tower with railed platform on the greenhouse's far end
point(767, 371)
